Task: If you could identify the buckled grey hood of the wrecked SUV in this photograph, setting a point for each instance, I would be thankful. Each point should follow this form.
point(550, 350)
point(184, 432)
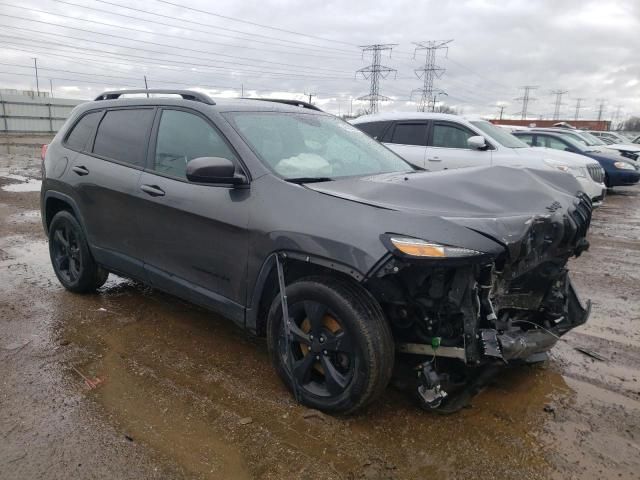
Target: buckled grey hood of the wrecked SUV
point(487, 192)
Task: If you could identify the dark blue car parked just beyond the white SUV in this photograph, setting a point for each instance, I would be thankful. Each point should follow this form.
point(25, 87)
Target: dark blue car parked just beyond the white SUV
point(618, 171)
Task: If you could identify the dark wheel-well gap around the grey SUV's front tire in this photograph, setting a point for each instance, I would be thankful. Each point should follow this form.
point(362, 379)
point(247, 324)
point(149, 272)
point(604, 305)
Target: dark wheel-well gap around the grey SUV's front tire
point(293, 270)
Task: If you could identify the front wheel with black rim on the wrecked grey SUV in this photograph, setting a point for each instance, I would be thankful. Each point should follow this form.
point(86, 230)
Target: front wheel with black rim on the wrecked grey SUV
point(341, 349)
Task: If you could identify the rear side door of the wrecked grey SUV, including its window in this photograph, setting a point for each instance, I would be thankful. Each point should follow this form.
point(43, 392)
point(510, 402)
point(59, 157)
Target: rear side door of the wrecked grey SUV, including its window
point(105, 177)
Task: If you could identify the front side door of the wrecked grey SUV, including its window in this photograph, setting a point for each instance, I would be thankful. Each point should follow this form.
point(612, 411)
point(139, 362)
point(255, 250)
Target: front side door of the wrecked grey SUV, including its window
point(195, 235)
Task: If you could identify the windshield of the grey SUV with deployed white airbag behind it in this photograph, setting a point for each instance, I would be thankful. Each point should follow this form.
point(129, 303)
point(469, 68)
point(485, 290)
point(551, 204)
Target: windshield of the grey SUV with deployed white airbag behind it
point(308, 146)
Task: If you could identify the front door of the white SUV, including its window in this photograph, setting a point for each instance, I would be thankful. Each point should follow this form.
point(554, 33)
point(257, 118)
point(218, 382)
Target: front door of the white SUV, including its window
point(448, 147)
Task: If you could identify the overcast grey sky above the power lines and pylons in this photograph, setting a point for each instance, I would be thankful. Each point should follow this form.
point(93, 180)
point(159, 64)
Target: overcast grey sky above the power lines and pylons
point(286, 48)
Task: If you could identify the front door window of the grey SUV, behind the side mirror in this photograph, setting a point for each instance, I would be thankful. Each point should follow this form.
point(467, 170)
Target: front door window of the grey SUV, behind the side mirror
point(183, 136)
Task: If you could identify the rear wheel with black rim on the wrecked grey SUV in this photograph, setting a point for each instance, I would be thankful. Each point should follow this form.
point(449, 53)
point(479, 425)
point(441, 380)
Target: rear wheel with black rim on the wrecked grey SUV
point(72, 261)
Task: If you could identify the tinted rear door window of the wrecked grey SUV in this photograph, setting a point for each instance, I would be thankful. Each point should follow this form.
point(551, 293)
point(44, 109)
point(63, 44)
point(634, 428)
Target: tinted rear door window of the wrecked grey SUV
point(123, 135)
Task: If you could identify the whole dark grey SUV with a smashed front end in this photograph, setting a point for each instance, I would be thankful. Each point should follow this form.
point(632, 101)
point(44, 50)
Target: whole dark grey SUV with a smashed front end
point(298, 227)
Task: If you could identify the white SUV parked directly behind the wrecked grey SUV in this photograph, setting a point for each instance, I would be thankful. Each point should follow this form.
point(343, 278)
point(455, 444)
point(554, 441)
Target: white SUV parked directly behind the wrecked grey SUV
point(438, 141)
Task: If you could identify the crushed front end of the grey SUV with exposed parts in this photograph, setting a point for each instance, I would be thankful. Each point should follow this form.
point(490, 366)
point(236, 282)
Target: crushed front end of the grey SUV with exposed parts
point(453, 315)
